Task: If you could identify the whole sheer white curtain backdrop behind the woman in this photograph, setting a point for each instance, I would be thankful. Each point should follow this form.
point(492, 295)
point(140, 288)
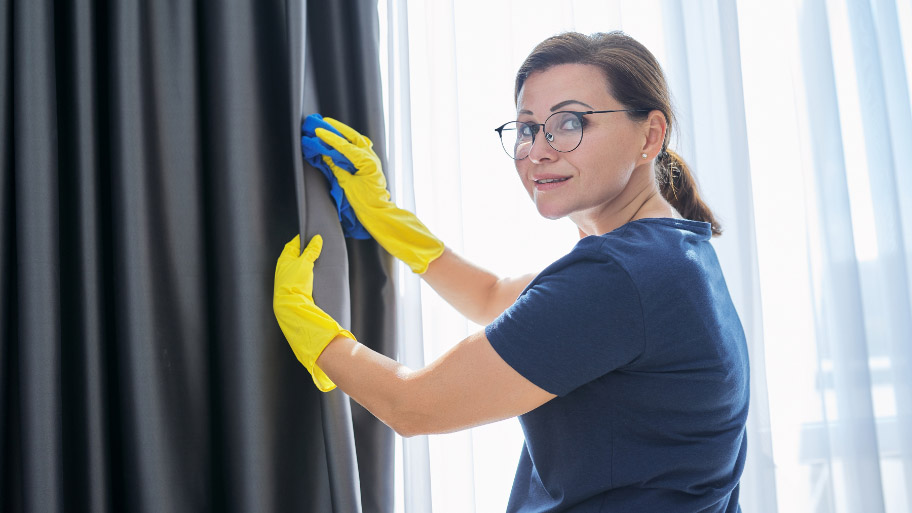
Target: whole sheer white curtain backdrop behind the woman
point(796, 118)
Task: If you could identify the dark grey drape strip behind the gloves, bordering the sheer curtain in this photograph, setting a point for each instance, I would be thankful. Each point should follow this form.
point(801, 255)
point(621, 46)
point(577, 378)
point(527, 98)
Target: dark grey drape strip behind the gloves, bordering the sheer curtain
point(343, 41)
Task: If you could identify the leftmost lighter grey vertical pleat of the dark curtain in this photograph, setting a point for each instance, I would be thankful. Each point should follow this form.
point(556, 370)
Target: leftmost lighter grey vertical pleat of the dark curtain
point(37, 258)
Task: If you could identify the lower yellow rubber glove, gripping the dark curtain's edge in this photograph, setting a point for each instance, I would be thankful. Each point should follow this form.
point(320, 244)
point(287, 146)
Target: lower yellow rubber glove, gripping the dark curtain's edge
point(307, 328)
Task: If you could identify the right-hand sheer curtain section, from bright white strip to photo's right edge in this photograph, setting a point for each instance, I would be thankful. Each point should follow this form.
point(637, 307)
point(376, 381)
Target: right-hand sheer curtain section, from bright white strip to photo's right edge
point(827, 141)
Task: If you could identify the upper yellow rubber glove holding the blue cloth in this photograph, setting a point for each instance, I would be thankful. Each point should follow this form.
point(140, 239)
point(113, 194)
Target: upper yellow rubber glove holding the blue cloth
point(397, 230)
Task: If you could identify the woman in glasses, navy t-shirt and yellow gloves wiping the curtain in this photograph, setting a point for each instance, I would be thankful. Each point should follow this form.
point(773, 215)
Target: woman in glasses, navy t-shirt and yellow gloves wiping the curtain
point(624, 360)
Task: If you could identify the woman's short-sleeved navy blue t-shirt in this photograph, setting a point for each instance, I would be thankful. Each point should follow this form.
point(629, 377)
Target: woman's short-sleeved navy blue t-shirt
point(636, 334)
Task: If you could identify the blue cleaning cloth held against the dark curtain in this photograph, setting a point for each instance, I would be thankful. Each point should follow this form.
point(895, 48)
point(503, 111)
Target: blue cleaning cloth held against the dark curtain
point(314, 149)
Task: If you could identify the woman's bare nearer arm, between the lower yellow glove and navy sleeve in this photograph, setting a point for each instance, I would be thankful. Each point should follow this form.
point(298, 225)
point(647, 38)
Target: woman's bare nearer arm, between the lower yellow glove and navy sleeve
point(468, 386)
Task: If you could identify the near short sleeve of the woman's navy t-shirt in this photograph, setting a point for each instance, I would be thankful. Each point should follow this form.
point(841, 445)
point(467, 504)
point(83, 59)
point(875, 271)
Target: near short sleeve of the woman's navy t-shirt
point(573, 324)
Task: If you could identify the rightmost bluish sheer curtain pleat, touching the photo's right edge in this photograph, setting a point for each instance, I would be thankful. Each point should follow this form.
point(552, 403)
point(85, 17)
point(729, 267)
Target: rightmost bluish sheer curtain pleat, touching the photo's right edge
point(887, 128)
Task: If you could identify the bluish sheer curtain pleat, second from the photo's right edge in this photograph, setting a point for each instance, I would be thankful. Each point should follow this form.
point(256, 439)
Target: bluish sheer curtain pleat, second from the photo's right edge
point(840, 324)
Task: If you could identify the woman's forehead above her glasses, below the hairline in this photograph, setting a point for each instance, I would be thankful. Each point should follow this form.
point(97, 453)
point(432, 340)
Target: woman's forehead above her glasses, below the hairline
point(581, 82)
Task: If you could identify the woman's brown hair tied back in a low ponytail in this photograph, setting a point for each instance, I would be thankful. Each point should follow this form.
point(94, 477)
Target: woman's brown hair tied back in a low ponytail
point(636, 80)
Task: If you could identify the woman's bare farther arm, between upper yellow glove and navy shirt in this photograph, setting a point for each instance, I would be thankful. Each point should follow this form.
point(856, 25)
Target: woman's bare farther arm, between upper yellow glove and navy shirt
point(476, 293)
